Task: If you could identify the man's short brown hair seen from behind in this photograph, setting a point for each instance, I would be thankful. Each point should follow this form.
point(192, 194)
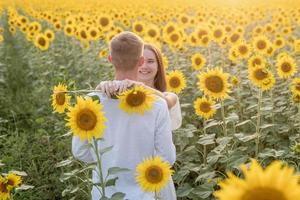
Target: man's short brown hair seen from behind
point(126, 48)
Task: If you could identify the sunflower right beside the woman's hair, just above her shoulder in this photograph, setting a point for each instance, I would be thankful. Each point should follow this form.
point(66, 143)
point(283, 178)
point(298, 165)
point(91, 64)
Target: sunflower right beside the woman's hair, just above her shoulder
point(176, 81)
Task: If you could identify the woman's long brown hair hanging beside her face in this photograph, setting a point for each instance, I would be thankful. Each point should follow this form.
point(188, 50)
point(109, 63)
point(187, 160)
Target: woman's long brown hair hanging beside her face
point(160, 82)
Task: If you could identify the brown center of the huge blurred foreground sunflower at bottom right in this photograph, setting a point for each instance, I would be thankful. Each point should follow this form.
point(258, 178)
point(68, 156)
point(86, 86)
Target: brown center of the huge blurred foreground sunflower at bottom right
point(263, 194)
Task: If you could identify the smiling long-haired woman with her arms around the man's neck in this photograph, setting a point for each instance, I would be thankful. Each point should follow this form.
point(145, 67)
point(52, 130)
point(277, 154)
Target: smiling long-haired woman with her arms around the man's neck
point(152, 76)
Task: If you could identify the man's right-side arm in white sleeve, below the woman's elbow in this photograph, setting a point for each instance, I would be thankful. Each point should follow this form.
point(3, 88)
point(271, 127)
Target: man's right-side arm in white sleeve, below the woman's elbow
point(163, 135)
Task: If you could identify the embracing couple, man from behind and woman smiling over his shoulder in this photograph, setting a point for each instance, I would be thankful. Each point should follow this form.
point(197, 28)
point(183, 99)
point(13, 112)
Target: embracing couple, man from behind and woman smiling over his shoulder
point(134, 137)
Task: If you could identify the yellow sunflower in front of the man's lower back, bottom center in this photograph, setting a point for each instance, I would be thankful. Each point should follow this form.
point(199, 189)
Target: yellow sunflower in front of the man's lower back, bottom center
point(153, 174)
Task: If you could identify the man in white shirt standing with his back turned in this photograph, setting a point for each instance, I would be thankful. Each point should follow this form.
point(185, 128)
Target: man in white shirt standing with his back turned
point(133, 137)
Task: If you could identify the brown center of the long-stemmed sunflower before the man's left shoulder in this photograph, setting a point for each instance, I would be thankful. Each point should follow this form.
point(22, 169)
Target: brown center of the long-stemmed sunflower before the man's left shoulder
point(86, 119)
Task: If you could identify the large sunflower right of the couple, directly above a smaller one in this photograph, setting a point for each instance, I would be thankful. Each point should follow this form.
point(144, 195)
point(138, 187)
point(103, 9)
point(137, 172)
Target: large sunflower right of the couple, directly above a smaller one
point(214, 83)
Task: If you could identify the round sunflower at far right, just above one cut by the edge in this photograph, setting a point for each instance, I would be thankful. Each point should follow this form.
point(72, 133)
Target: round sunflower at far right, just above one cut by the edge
point(286, 67)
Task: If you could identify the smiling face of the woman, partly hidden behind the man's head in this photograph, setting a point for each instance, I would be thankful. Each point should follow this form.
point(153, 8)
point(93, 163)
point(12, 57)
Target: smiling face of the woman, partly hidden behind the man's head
point(148, 70)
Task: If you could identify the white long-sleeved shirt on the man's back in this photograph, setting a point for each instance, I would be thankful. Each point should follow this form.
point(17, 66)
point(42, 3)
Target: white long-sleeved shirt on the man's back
point(134, 137)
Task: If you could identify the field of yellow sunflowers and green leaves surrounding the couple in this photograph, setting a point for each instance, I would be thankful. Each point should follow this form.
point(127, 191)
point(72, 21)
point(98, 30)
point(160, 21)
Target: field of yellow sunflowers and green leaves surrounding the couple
point(234, 65)
